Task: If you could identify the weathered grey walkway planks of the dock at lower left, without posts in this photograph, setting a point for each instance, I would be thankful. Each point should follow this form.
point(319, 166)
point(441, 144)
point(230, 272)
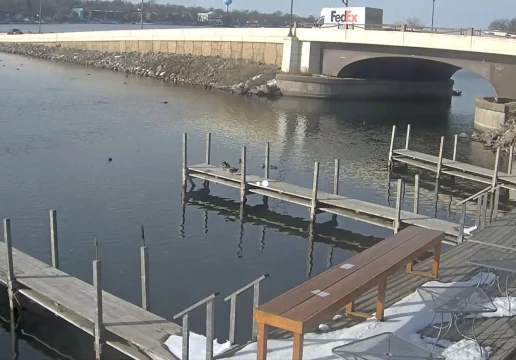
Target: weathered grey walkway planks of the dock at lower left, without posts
point(136, 332)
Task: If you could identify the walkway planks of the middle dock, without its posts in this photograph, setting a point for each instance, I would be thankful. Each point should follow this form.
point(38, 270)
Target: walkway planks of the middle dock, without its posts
point(336, 204)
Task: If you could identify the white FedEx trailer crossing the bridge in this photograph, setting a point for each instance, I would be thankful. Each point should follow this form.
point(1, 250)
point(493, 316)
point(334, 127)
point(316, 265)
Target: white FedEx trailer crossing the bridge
point(369, 17)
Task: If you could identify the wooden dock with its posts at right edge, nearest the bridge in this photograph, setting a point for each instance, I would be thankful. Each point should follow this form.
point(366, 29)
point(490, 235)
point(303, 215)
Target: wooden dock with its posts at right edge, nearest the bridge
point(440, 165)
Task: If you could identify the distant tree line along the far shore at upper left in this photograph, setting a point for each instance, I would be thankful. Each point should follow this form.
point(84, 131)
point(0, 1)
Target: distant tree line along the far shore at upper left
point(62, 10)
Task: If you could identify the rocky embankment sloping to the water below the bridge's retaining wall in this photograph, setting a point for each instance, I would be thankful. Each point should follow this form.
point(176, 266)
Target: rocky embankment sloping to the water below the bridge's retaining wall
point(237, 76)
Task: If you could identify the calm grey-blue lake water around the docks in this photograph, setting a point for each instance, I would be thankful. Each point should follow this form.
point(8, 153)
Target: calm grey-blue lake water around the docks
point(60, 124)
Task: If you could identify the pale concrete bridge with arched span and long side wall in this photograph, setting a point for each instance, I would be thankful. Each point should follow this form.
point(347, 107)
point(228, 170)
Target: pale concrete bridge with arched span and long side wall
point(376, 55)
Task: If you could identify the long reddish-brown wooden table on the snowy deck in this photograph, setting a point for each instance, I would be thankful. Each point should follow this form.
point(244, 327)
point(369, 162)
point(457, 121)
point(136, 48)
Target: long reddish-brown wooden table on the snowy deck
point(305, 307)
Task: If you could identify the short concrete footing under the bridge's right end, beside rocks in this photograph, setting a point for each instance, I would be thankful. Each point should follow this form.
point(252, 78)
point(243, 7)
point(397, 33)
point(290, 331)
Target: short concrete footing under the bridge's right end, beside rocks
point(491, 114)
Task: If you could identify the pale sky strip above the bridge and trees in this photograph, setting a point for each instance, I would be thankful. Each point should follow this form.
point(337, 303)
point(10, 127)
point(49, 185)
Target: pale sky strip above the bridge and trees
point(448, 13)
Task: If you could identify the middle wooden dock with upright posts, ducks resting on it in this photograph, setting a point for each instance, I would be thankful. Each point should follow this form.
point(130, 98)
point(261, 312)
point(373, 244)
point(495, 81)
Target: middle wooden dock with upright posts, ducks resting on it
point(314, 199)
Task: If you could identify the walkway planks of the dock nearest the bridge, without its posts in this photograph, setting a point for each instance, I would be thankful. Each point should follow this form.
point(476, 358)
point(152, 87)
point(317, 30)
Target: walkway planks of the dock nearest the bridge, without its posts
point(454, 168)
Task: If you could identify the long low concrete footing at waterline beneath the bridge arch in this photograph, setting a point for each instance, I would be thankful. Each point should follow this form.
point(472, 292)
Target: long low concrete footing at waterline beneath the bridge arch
point(319, 87)
